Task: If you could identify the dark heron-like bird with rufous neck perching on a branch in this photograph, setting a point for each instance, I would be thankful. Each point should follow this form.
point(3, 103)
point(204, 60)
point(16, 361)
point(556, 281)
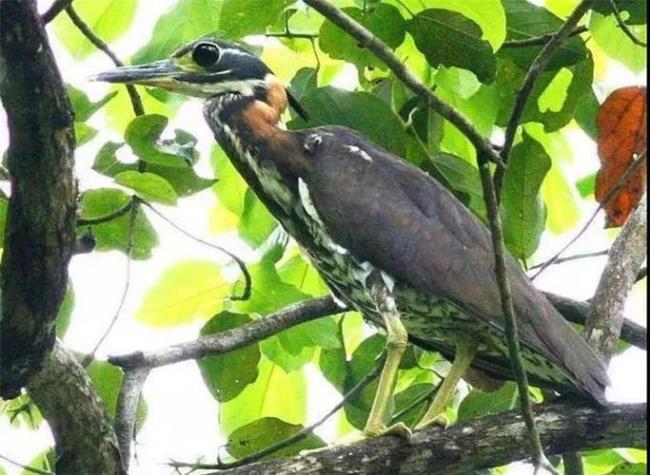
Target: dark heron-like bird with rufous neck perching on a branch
point(388, 239)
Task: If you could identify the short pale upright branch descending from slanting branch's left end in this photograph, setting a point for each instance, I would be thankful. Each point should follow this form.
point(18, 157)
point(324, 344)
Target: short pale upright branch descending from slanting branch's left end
point(127, 410)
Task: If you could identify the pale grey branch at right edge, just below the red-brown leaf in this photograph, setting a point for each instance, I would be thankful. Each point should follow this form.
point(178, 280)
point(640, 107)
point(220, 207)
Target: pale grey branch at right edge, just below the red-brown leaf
point(625, 259)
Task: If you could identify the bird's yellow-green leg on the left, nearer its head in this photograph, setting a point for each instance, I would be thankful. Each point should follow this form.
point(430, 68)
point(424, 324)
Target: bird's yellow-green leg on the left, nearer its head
point(396, 341)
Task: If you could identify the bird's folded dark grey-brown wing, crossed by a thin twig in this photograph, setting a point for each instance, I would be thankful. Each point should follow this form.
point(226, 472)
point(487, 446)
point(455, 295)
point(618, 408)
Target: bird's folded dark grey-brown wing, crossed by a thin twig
point(404, 222)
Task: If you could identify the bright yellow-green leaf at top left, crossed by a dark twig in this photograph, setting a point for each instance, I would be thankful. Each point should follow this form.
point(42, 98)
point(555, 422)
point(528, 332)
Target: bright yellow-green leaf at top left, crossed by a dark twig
point(107, 19)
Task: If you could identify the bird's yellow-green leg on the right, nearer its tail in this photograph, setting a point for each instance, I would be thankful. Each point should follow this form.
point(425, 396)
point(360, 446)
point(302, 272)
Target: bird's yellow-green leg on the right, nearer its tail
point(465, 352)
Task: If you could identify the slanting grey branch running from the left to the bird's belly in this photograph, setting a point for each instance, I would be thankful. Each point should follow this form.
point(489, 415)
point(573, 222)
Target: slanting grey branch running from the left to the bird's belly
point(232, 339)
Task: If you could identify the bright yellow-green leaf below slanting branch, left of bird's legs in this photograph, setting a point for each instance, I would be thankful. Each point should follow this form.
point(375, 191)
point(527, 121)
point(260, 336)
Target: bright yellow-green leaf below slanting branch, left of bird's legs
point(275, 393)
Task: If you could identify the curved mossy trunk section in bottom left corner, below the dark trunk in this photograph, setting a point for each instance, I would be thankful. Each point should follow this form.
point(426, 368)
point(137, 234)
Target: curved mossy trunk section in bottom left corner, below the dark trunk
point(83, 431)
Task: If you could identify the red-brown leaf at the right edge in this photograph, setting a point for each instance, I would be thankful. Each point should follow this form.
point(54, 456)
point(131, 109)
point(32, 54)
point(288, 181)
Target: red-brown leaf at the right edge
point(621, 137)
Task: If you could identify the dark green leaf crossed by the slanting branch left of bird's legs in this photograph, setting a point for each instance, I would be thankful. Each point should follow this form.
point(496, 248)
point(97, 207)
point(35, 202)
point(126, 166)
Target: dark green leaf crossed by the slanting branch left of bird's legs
point(227, 375)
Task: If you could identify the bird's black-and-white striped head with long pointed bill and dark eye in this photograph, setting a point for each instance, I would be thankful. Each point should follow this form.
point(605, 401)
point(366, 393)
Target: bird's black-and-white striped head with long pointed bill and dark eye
point(204, 68)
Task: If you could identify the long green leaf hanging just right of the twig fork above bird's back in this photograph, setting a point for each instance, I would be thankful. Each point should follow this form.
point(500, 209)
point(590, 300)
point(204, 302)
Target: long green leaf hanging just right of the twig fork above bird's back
point(523, 210)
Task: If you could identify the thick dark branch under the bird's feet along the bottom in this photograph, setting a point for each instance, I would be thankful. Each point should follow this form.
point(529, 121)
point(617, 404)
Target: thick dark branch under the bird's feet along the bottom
point(472, 445)
